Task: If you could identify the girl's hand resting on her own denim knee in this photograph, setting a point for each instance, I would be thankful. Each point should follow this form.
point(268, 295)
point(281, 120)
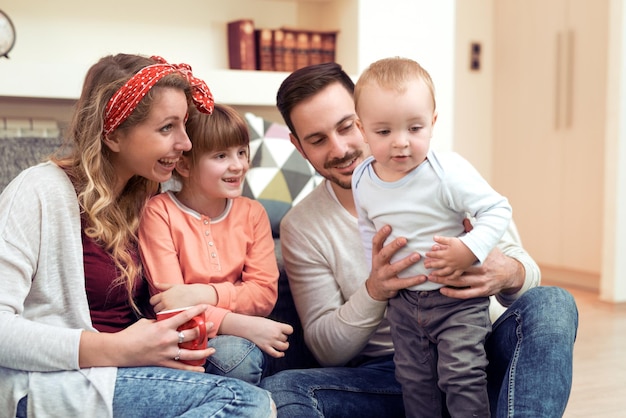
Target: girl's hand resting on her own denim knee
point(270, 336)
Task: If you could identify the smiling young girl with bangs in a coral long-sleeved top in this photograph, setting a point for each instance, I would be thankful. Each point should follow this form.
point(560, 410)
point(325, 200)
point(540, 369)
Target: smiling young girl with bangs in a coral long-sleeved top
point(219, 245)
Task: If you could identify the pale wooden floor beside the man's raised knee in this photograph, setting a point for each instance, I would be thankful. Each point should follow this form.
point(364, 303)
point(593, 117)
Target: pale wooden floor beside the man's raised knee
point(599, 384)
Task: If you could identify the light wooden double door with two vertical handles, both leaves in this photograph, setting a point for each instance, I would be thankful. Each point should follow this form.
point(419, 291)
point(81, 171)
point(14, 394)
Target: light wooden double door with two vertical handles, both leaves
point(548, 55)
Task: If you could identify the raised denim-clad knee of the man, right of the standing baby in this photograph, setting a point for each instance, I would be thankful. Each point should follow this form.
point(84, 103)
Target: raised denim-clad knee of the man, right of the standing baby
point(530, 354)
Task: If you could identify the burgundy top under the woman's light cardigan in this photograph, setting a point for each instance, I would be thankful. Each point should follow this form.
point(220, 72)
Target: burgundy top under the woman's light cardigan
point(109, 306)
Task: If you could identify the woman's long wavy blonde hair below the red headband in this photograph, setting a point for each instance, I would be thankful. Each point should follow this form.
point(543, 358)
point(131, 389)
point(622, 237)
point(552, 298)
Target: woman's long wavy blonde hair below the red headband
point(111, 220)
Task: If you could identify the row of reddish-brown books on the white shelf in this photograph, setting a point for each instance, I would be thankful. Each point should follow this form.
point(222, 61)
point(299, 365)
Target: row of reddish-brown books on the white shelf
point(283, 49)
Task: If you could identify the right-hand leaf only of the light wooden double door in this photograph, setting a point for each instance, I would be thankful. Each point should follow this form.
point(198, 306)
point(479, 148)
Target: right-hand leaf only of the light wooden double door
point(583, 147)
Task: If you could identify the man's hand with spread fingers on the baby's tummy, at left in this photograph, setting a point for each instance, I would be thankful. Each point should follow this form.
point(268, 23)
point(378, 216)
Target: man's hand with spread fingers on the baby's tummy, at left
point(383, 282)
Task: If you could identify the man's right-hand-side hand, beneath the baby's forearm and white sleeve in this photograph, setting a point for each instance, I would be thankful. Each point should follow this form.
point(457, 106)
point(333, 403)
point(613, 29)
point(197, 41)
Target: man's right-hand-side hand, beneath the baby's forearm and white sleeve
point(498, 273)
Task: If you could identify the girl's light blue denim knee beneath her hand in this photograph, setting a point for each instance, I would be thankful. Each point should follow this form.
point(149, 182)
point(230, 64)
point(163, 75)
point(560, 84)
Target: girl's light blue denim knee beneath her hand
point(236, 357)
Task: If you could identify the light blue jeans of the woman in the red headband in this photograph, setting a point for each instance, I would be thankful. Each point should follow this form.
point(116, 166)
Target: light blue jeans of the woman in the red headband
point(162, 392)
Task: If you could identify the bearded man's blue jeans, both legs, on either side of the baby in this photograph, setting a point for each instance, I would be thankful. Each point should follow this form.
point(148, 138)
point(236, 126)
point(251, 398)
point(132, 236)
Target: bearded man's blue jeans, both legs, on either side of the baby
point(530, 355)
